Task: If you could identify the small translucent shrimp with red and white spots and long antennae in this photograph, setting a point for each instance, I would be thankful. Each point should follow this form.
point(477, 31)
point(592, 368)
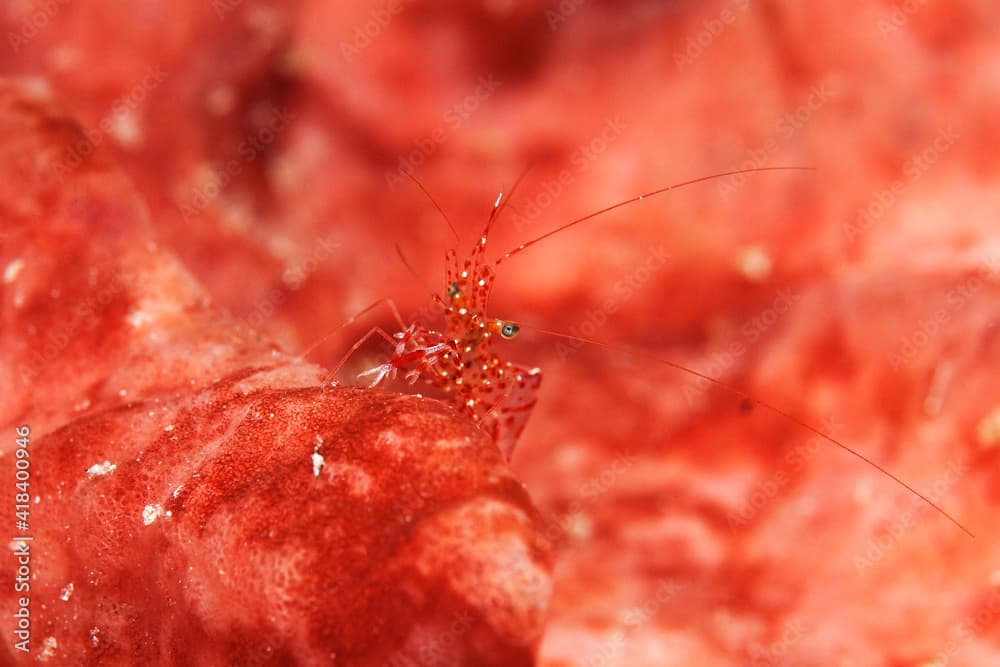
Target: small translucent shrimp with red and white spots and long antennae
point(499, 395)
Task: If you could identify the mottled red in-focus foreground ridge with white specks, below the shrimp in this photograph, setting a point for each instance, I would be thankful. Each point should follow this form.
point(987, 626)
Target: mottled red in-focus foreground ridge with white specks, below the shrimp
point(197, 498)
